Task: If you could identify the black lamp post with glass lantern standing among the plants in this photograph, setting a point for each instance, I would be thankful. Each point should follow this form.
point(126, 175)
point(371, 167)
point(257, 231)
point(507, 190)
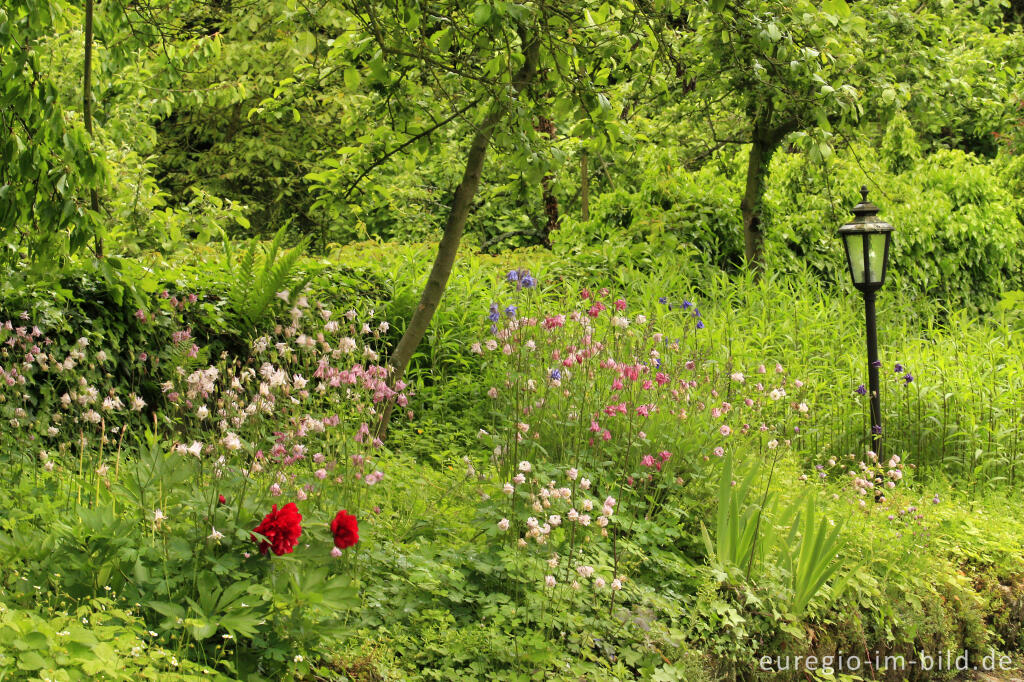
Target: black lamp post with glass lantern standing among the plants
point(867, 241)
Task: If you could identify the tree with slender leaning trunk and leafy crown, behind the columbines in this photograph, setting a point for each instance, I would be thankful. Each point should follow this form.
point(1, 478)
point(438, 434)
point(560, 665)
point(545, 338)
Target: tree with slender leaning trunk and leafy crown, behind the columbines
point(491, 66)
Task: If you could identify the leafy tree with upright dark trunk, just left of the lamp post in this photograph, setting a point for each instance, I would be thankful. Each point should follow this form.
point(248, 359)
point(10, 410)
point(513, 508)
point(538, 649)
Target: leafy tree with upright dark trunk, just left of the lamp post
point(761, 72)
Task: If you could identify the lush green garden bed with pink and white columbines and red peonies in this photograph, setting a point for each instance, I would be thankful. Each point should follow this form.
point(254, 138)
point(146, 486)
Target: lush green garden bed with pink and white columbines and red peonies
point(628, 484)
